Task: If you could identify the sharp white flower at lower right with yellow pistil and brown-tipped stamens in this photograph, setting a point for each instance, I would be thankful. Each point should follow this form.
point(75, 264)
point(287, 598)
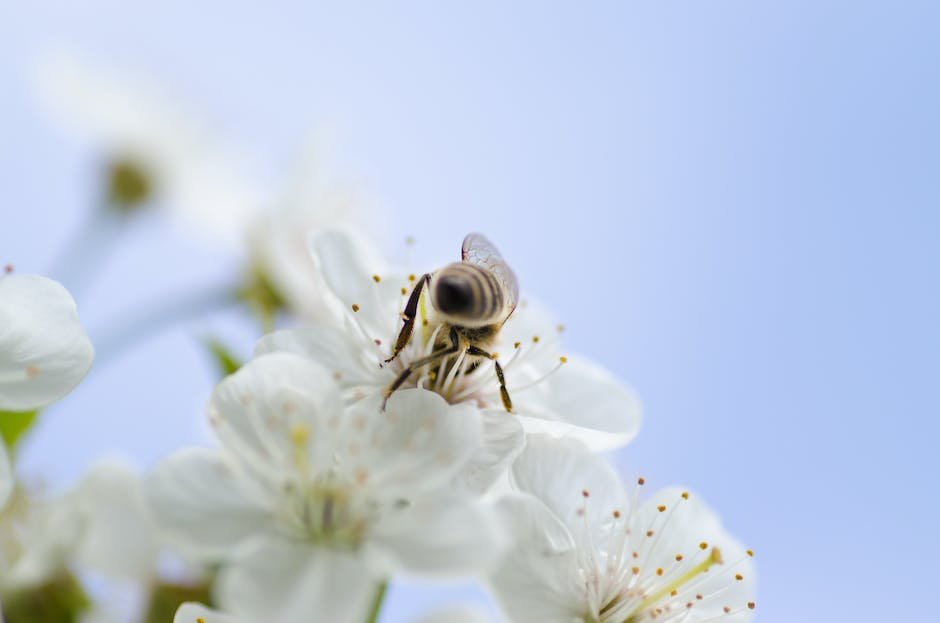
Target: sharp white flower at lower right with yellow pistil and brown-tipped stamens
point(588, 552)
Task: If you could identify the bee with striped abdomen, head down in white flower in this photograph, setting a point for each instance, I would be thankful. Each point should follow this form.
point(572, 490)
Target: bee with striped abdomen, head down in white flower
point(471, 299)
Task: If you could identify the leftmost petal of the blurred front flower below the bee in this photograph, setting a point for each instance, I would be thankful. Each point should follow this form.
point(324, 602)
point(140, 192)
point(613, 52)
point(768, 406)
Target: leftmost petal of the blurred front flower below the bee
point(198, 504)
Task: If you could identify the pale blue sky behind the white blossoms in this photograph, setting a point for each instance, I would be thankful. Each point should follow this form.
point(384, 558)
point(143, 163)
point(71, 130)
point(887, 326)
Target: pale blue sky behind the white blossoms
point(733, 205)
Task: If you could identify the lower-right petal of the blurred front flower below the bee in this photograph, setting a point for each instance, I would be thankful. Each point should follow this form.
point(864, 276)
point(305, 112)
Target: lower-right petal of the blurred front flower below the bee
point(441, 536)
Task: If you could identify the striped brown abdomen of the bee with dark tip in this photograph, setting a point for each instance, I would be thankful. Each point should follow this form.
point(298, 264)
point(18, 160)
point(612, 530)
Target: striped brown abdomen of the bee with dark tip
point(468, 295)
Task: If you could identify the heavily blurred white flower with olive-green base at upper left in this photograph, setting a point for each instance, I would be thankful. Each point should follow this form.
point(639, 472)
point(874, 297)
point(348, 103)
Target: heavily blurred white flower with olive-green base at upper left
point(154, 148)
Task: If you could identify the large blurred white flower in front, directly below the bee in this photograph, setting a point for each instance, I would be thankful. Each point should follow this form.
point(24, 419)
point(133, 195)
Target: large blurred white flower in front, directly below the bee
point(309, 503)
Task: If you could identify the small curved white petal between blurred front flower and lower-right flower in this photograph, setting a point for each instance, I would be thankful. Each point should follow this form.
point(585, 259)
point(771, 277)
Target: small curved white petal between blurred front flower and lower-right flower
point(503, 440)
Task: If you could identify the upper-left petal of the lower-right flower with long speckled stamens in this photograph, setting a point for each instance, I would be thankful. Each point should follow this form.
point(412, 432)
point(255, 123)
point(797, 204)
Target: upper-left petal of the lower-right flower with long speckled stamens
point(567, 478)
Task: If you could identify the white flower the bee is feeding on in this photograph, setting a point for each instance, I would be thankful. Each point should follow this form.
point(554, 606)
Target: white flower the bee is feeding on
point(575, 399)
